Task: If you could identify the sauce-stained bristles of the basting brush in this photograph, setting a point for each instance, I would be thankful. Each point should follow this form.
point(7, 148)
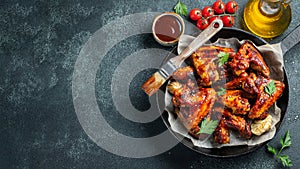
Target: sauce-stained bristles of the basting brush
point(153, 83)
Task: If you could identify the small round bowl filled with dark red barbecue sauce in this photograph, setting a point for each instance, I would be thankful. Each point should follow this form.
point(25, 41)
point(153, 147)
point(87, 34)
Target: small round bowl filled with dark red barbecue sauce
point(167, 28)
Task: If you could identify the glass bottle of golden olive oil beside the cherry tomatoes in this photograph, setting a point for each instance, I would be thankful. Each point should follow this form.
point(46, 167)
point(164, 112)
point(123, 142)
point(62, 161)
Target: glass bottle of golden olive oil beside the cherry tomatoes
point(267, 18)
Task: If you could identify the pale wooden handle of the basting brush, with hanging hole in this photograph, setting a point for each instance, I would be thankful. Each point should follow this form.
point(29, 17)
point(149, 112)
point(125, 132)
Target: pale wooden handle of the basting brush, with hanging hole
point(203, 37)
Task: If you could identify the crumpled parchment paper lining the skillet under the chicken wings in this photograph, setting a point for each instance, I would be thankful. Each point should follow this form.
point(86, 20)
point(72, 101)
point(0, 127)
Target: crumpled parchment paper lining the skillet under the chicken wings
point(274, 59)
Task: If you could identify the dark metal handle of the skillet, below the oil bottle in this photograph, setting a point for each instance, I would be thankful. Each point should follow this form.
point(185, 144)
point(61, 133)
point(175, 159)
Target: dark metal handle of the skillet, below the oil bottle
point(290, 40)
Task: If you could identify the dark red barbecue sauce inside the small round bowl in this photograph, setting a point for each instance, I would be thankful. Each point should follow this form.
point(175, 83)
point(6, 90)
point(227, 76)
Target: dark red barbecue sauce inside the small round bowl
point(168, 28)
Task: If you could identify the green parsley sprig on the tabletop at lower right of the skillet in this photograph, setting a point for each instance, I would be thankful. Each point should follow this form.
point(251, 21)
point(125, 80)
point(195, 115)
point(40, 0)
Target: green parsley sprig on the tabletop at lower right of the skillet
point(285, 142)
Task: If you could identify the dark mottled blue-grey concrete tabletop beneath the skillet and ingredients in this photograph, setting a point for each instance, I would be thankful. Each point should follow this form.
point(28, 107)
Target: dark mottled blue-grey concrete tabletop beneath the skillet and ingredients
point(40, 42)
